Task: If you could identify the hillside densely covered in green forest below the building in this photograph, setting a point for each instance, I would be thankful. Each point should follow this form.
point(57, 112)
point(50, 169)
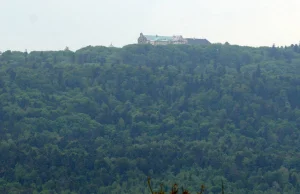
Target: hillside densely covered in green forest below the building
point(101, 120)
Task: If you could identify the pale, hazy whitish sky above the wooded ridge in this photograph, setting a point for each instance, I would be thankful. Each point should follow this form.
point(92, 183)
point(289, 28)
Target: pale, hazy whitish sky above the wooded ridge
point(55, 24)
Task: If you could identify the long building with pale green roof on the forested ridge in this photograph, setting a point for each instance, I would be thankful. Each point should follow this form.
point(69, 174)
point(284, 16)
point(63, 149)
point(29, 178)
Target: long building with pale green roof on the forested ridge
point(164, 40)
